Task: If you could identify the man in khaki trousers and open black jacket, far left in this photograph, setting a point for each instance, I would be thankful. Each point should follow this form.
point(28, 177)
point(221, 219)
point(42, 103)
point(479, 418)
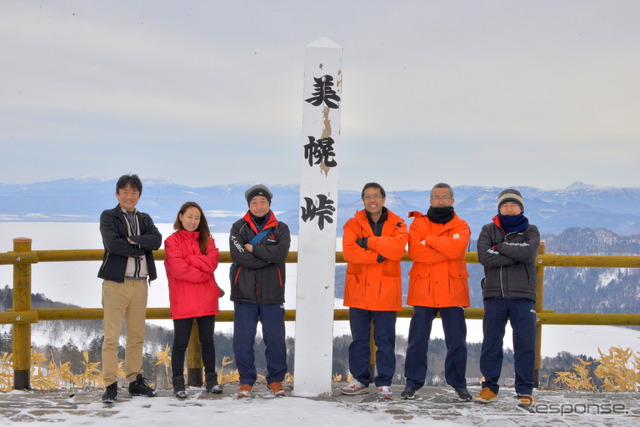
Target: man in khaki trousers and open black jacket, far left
point(129, 237)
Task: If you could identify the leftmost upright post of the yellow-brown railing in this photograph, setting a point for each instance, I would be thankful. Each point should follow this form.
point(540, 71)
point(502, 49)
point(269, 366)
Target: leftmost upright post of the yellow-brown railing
point(21, 302)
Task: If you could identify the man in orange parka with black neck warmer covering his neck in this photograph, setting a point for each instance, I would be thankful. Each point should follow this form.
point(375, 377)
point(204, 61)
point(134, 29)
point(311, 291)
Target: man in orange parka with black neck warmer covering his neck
point(438, 283)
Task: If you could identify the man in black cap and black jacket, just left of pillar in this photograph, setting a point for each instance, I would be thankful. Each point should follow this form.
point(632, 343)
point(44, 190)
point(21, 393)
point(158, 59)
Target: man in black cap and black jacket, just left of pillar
point(259, 246)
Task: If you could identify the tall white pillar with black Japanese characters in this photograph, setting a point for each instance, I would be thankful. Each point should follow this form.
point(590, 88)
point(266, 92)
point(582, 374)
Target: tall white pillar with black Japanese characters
point(320, 158)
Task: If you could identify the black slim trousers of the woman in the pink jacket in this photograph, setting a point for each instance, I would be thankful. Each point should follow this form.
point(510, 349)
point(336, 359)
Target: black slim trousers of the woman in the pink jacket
point(182, 333)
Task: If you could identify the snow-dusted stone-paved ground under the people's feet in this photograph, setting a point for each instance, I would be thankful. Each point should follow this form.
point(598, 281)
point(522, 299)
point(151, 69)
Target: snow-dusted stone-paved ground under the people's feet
point(438, 407)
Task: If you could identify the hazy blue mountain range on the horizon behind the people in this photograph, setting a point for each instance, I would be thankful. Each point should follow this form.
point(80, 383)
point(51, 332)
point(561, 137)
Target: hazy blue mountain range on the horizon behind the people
point(81, 199)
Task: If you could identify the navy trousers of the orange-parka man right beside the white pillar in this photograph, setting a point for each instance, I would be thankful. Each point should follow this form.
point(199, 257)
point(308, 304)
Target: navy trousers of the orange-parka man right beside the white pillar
point(384, 335)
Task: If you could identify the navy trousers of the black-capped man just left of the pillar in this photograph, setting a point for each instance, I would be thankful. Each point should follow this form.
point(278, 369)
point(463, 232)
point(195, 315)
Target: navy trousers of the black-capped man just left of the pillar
point(245, 324)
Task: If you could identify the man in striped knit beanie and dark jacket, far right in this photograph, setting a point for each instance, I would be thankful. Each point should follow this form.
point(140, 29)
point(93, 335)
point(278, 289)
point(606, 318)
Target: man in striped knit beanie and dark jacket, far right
point(507, 248)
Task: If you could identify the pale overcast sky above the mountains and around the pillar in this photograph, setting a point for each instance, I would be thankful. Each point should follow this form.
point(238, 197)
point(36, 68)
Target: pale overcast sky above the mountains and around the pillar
point(200, 93)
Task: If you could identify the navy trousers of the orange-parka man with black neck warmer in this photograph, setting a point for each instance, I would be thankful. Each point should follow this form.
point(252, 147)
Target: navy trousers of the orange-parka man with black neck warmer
point(455, 335)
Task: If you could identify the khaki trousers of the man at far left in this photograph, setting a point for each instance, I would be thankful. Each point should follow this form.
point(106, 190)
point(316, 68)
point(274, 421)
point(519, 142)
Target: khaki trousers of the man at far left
point(123, 302)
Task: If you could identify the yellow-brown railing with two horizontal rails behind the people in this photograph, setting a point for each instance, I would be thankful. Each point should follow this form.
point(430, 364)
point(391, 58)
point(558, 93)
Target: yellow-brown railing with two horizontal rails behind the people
point(22, 315)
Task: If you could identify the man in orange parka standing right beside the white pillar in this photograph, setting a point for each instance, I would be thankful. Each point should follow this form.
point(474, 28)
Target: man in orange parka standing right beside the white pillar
point(373, 243)
